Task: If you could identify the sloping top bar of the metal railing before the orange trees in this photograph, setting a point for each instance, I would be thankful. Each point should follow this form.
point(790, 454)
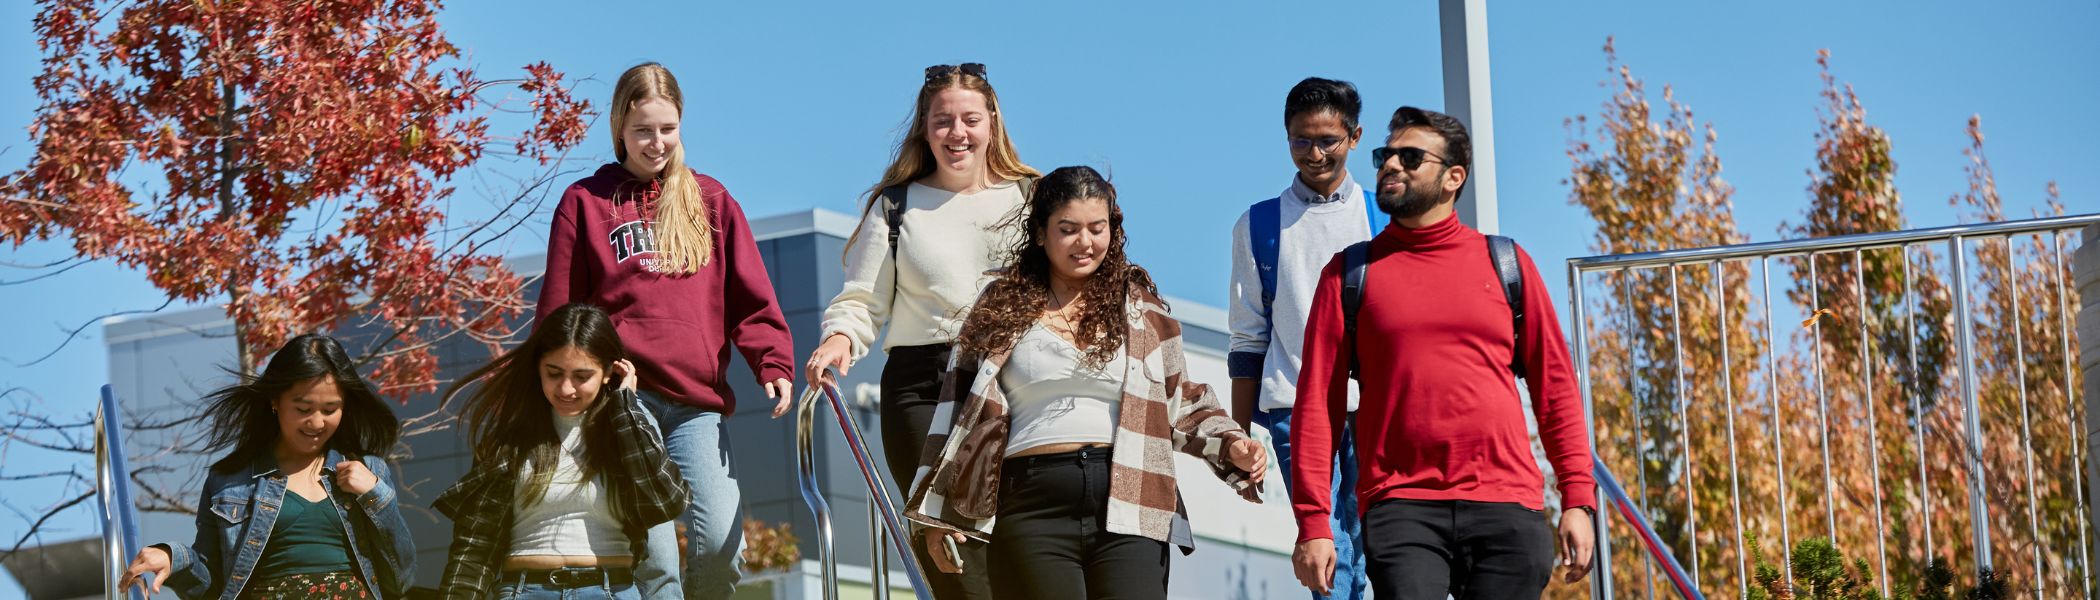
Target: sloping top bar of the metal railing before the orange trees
point(1830, 244)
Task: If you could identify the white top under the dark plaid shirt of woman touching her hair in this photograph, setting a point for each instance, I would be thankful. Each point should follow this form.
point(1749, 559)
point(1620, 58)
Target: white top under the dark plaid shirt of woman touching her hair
point(574, 517)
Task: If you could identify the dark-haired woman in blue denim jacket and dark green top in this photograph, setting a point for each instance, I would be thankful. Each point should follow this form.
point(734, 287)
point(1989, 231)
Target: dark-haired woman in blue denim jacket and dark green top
point(306, 505)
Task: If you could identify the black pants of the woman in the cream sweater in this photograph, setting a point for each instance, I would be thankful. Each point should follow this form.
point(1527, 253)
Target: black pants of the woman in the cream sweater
point(910, 393)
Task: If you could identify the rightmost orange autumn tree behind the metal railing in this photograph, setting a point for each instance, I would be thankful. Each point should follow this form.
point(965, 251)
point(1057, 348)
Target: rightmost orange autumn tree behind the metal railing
point(2023, 309)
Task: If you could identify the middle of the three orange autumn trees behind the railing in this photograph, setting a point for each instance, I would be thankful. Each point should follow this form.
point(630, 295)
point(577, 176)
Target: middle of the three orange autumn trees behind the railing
point(1893, 309)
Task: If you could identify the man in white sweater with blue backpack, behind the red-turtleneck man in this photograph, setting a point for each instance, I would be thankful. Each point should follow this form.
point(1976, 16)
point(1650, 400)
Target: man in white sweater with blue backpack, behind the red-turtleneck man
point(1280, 249)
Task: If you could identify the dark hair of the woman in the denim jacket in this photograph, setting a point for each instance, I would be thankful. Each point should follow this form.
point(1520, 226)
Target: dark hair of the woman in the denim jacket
point(243, 414)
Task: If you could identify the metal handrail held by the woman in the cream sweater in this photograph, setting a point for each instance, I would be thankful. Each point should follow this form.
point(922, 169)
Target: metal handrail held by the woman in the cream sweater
point(900, 538)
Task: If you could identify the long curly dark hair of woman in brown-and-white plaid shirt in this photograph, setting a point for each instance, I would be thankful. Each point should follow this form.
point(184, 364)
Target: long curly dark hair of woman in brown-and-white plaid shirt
point(1020, 295)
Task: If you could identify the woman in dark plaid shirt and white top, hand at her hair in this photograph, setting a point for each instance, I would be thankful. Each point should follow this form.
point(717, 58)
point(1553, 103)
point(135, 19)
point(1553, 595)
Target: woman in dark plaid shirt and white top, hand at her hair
point(568, 471)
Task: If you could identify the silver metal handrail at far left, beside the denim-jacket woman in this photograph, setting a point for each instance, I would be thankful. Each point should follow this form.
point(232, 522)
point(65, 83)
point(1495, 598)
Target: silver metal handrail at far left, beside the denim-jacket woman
point(112, 496)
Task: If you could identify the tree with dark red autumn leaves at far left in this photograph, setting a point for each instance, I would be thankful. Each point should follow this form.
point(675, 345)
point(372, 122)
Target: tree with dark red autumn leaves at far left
point(287, 158)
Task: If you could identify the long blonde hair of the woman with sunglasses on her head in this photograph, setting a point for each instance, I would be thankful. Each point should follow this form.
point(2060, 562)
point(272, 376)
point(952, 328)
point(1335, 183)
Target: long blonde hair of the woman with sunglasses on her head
point(915, 158)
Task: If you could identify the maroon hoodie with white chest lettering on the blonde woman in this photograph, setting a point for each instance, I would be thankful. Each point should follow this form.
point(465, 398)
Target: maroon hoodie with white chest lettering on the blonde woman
point(677, 328)
